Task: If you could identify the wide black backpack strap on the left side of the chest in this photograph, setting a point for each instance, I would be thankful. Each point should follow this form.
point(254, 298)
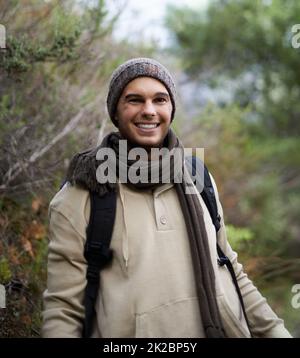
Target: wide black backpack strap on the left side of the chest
point(97, 250)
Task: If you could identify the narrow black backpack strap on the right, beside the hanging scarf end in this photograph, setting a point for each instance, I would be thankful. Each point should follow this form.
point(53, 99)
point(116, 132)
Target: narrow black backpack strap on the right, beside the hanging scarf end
point(209, 198)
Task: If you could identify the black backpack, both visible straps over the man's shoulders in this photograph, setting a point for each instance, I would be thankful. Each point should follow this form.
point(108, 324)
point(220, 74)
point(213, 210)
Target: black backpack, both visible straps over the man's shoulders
point(97, 250)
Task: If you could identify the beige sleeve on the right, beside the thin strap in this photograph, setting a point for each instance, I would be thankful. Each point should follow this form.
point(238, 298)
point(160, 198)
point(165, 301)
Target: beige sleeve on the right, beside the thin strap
point(263, 321)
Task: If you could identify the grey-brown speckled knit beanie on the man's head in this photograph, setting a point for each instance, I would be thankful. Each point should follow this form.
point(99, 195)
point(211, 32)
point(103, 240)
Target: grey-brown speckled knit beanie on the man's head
point(131, 69)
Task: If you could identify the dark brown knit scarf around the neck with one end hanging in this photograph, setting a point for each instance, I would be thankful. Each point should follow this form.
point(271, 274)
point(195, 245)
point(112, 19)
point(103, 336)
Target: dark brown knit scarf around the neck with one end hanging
point(82, 171)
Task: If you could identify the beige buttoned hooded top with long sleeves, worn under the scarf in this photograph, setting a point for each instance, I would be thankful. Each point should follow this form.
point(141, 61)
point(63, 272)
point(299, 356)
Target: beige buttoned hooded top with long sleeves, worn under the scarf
point(149, 289)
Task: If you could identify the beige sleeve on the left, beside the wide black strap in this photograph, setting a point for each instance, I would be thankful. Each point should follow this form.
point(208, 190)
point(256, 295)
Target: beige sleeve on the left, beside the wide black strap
point(63, 299)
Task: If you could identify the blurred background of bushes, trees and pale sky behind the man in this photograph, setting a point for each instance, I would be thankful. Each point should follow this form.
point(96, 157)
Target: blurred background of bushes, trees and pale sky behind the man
point(236, 64)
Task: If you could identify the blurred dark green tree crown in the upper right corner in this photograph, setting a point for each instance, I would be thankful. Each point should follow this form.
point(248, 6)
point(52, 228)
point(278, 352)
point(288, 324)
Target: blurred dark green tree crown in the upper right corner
point(233, 39)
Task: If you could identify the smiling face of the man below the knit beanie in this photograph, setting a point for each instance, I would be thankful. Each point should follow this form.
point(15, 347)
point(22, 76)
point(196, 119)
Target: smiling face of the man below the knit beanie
point(144, 112)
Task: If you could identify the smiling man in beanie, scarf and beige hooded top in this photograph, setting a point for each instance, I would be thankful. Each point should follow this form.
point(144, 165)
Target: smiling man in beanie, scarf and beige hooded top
point(164, 279)
